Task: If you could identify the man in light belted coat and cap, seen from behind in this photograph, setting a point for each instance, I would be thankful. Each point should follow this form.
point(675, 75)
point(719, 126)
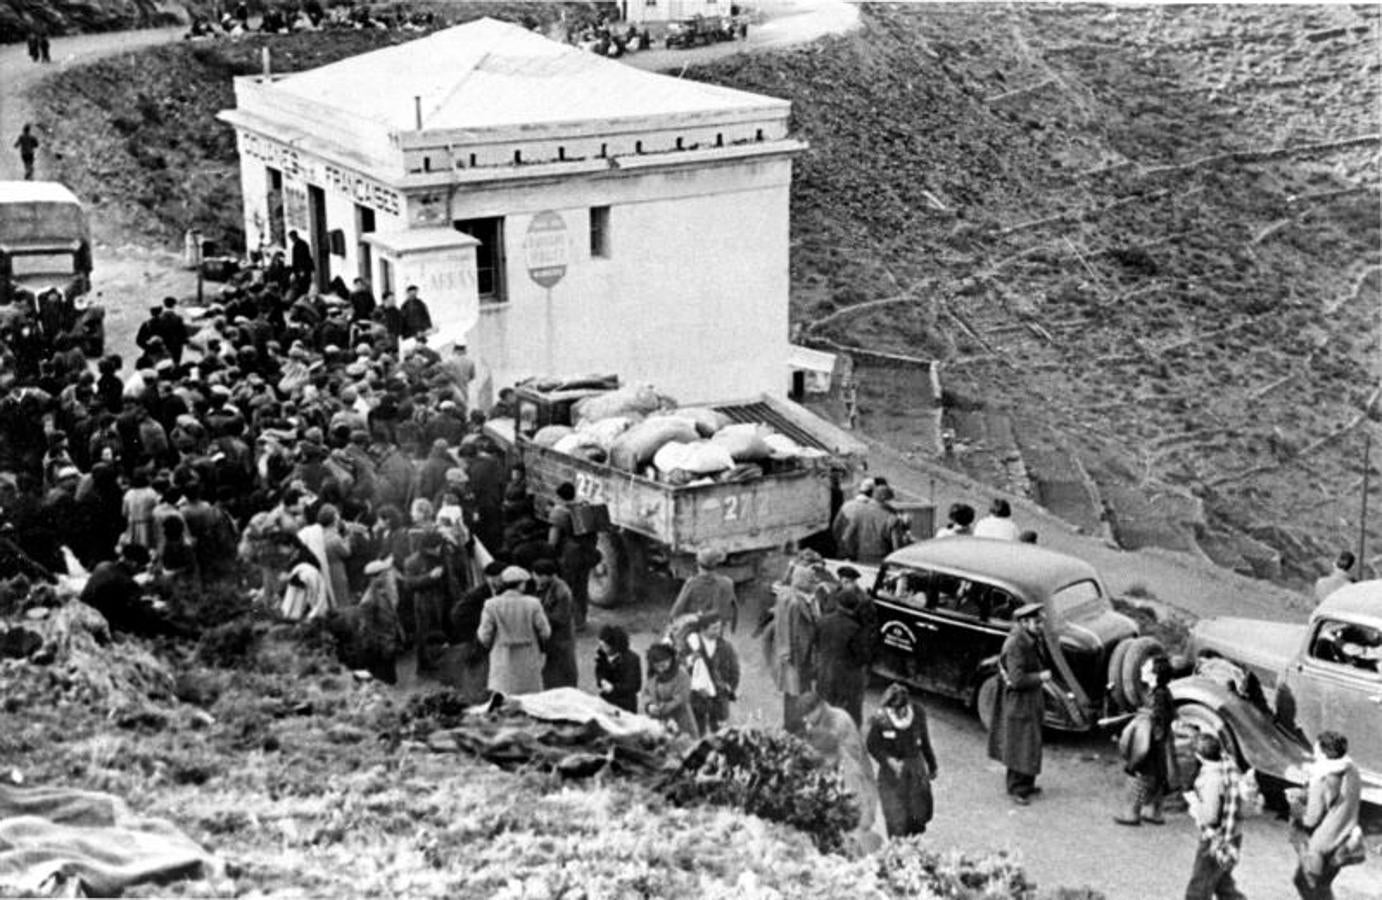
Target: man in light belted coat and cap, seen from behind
point(515, 630)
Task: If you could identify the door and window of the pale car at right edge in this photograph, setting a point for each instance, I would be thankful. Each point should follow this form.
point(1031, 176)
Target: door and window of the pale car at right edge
point(1337, 686)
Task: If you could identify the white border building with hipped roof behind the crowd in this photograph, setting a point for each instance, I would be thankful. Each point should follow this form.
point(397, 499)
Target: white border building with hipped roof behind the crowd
point(562, 214)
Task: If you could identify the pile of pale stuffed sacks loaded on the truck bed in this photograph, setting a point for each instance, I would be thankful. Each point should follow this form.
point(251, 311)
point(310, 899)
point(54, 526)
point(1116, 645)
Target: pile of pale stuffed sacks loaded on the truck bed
point(636, 429)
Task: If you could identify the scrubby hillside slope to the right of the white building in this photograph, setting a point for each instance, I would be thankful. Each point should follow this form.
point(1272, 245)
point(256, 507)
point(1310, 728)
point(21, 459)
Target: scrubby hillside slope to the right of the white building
point(1148, 237)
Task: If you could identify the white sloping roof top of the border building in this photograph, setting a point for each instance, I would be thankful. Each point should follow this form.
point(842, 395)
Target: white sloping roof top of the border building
point(490, 74)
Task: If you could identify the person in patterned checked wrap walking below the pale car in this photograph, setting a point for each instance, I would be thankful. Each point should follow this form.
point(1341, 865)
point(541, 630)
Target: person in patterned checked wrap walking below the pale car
point(1214, 805)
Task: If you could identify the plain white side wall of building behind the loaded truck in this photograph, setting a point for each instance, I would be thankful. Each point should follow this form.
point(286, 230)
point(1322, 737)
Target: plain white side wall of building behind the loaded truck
point(693, 298)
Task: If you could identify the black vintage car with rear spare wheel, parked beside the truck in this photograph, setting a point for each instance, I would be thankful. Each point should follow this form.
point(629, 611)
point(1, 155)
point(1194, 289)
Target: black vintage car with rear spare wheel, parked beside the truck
point(946, 606)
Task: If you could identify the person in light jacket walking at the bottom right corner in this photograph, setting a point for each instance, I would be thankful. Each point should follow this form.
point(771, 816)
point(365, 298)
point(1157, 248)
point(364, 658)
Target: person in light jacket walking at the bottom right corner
point(1325, 816)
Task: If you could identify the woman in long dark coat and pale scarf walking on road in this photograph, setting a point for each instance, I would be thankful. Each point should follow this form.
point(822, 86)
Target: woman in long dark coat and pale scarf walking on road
point(902, 746)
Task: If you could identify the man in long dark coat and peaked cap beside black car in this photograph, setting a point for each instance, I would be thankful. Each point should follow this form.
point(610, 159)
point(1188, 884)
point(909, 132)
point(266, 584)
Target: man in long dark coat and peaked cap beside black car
point(1015, 739)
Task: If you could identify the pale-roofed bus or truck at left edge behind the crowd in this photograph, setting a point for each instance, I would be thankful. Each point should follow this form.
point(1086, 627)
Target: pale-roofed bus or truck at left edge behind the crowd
point(46, 263)
